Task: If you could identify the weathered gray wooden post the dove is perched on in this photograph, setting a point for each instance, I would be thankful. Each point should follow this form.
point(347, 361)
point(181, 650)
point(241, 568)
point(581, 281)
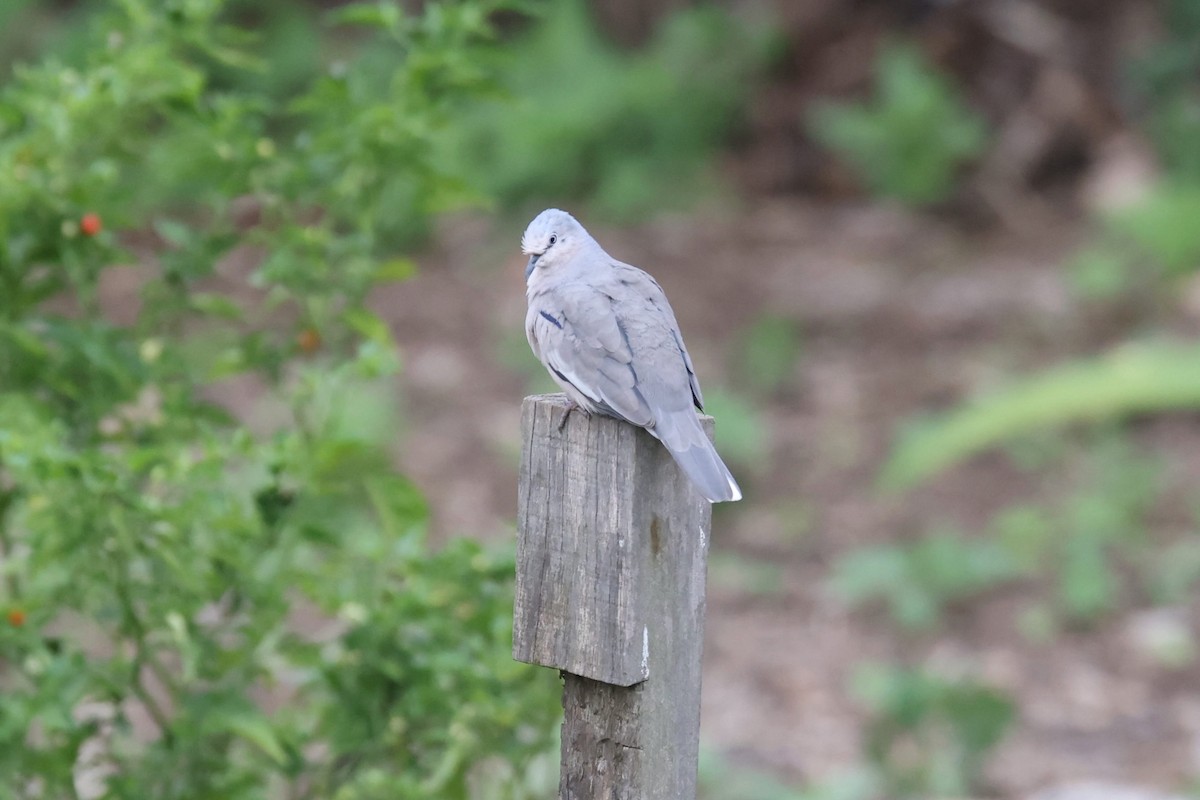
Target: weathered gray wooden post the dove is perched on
point(613, 544)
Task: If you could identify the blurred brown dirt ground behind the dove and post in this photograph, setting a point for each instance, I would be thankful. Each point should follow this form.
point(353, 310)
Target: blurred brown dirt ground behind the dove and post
point(899, 314)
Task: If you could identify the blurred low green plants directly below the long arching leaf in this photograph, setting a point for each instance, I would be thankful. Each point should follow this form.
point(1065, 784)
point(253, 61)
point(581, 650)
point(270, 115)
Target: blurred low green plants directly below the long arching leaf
point(1082, 546)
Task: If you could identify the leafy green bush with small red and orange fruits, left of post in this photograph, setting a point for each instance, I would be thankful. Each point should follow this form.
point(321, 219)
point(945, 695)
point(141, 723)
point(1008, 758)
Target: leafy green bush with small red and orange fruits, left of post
point(160, 561)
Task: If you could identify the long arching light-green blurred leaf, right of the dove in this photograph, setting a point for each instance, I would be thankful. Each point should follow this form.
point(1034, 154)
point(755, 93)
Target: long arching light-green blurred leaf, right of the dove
point(1132, 380)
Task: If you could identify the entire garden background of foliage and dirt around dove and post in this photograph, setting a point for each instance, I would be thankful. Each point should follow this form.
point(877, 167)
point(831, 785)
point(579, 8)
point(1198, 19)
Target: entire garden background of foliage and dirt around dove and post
point(937, 262)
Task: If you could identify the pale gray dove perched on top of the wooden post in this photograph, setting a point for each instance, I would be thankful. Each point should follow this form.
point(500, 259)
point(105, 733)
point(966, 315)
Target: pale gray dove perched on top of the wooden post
point(608, 335)
